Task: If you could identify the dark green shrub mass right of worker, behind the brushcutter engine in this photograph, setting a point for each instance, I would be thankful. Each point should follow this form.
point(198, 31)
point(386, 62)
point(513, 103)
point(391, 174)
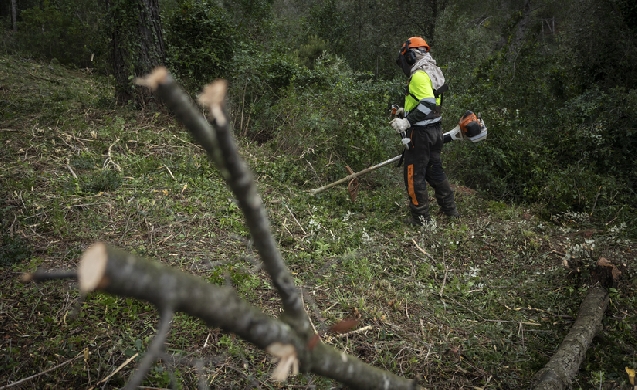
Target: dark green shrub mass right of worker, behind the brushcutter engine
point(553, 142)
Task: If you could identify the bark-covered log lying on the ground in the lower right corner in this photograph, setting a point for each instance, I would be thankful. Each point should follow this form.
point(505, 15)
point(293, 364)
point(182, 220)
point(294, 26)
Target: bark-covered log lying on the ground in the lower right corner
point(563, 366)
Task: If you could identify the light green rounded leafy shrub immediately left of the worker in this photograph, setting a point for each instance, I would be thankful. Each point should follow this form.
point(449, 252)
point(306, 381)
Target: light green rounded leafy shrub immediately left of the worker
point(334, 117)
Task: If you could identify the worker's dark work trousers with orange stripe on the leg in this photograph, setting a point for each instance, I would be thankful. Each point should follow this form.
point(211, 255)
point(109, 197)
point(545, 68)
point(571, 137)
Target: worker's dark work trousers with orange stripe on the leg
point(423, 165)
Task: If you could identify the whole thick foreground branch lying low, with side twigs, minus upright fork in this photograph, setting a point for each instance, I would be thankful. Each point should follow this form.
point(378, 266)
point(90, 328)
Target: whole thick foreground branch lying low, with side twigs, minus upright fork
point(114, 271)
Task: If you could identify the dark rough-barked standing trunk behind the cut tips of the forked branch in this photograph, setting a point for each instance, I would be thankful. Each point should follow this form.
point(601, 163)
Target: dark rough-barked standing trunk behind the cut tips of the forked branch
point(137, 46)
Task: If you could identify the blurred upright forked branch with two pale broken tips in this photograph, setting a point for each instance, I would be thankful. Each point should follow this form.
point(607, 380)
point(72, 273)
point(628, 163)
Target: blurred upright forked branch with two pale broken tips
point(220, 146)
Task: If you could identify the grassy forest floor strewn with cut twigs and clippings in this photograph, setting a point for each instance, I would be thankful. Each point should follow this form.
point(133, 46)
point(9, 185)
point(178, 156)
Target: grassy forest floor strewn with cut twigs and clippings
point(476, 303)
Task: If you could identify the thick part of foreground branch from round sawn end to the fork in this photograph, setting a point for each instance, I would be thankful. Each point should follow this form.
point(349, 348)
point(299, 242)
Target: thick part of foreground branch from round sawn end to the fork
point(112, 270)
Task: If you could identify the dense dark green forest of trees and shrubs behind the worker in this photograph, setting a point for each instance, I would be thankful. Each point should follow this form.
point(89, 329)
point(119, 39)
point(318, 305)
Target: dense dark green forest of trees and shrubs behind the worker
point(554, 81)
